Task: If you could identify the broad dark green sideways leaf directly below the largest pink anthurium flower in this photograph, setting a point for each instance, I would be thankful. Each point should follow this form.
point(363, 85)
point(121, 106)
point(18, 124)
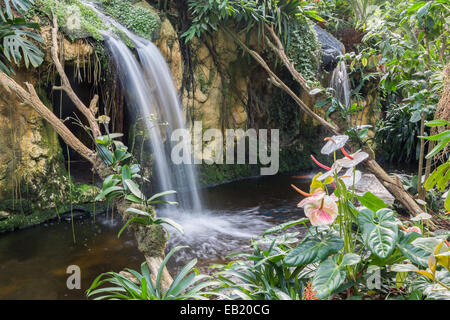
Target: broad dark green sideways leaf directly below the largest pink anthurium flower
point(314, 249)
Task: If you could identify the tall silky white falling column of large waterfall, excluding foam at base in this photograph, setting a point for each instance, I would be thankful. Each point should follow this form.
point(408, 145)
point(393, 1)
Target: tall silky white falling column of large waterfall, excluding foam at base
point(149, 89)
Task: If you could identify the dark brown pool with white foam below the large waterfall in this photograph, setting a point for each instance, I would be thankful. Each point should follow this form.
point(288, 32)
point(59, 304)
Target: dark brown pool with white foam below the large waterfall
point(33, 262)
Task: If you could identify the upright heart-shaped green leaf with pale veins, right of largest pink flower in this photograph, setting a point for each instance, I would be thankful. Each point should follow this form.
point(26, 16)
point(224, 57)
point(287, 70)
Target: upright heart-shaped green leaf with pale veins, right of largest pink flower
point(379, 231)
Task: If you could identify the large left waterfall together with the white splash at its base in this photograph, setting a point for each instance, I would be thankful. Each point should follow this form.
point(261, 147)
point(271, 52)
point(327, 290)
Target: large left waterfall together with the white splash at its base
point(149, 89)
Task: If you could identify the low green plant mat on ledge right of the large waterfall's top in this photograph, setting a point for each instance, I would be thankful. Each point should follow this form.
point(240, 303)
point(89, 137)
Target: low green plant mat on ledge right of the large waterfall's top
point(138, 19)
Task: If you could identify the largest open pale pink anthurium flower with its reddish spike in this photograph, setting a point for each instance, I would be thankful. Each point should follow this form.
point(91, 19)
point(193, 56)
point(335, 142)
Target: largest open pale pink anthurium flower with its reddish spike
point(320, 208)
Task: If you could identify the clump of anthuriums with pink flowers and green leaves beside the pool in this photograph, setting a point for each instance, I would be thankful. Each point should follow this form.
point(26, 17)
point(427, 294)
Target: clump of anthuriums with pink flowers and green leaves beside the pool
point(348, 250)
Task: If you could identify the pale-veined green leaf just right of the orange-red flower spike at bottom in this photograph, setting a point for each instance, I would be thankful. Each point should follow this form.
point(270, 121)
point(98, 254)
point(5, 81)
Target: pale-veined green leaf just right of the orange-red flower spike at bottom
point(329, 276)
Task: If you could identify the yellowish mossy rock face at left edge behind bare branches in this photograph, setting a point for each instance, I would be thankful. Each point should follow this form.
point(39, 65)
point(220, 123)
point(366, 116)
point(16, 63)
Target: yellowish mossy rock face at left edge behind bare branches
point(33, 176)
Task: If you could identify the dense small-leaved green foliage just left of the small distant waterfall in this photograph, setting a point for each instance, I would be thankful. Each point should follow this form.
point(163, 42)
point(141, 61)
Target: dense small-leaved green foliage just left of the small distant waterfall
point(303, 49)
